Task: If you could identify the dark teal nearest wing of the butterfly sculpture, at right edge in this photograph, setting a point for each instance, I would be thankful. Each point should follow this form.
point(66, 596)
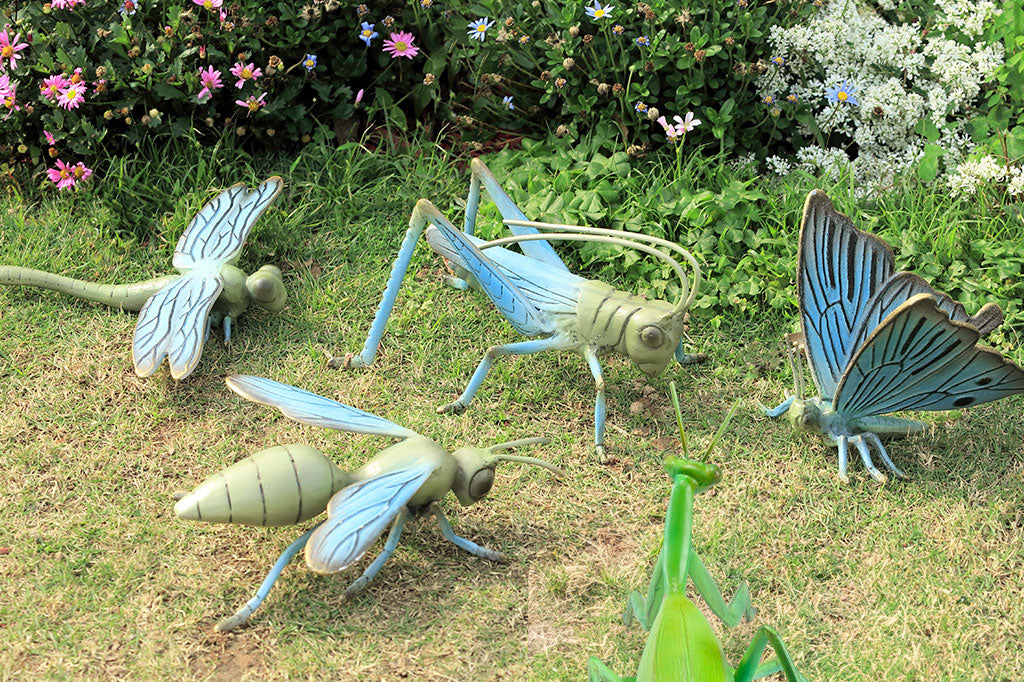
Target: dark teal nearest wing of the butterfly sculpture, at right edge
point(918, 359)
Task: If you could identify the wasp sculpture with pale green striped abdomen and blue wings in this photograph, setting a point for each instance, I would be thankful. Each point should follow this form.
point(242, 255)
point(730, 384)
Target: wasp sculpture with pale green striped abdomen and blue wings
point(289, 485)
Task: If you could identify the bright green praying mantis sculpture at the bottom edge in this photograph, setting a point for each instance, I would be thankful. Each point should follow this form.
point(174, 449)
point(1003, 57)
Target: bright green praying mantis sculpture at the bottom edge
point(681, 647)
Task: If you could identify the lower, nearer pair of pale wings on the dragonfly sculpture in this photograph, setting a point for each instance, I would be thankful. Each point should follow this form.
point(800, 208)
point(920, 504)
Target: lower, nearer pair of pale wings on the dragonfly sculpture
point(173, 325)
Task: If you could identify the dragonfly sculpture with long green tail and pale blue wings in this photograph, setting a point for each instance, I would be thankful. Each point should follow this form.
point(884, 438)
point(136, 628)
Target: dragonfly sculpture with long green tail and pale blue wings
point(178, 311)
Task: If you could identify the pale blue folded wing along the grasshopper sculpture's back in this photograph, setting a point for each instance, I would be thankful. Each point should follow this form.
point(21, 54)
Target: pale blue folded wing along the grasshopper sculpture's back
point(550, 290)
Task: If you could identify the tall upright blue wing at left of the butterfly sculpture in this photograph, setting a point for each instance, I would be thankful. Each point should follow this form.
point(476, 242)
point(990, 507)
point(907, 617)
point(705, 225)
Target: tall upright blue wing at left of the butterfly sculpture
point(839, 269)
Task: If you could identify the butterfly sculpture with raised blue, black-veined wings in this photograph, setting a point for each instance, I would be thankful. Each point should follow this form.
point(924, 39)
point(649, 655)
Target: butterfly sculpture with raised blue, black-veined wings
point(880, 342)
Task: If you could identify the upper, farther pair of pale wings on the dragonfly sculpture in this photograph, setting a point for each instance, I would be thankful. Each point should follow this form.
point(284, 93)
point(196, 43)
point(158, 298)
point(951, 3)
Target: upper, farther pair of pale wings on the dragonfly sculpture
point(218, 233)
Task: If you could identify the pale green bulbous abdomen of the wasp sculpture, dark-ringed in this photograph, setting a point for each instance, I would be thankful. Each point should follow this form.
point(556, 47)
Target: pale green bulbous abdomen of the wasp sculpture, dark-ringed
point(280, 486)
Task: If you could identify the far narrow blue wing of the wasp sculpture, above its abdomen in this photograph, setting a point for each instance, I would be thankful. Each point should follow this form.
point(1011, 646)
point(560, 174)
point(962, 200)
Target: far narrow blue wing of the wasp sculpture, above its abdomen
point(313, 409)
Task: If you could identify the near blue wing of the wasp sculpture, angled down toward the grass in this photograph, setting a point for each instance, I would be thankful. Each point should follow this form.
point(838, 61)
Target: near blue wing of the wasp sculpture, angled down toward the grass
point(359, 515)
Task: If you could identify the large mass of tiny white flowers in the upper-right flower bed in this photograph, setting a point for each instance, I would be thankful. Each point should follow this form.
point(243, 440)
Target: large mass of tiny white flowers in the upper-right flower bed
point(901, 76)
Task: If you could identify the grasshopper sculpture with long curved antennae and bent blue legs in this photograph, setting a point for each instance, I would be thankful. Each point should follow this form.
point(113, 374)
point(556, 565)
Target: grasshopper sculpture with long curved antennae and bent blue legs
point(539, 296)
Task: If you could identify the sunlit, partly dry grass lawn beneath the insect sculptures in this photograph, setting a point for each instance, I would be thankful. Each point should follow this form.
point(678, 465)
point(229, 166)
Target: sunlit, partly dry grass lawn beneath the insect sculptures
point(916, 580)
